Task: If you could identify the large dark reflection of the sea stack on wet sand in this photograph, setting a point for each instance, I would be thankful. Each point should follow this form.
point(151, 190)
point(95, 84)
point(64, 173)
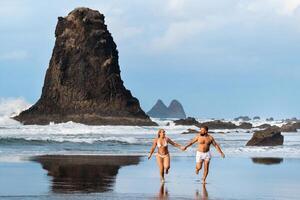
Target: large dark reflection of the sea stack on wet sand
point(83, 173)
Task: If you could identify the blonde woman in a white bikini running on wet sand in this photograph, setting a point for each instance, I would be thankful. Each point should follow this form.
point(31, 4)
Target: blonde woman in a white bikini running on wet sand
point(163, 155)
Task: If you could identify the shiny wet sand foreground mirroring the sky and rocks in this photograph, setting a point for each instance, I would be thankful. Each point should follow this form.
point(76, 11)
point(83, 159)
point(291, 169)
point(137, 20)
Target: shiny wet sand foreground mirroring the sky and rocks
point(133, 177)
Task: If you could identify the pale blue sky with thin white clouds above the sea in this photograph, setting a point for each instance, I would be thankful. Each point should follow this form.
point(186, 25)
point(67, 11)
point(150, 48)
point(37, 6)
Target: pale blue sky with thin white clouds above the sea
point(220, 59)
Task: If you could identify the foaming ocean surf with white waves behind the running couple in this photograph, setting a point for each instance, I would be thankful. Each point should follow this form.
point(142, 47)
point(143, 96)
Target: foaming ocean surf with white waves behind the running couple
point(19, 142)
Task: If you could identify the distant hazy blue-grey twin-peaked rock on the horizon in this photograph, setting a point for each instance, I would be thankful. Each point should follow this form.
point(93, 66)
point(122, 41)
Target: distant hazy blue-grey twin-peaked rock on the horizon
point(174, 110)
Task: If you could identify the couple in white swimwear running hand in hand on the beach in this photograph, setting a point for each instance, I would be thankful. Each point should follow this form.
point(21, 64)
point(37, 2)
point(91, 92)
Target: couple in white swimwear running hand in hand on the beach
point(203, 154)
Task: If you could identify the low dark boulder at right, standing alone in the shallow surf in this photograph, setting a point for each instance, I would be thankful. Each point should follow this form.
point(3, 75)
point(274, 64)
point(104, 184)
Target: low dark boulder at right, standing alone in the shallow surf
point(268, 137)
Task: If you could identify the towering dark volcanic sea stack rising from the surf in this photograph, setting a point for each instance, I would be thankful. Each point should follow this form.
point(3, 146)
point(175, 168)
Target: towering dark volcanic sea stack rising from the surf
point(83, 82)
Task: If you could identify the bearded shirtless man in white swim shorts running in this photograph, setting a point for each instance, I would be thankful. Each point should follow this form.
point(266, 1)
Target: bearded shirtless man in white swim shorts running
point(203, 154)
